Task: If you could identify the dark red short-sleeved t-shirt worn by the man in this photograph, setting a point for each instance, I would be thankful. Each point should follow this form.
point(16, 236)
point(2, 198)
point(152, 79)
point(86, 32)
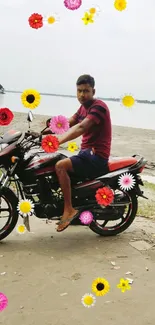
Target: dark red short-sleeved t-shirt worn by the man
point(99, 136)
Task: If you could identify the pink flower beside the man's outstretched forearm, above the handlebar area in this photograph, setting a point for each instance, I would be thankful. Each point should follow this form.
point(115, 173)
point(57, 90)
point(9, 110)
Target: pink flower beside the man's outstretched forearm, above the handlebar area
point(59, 124)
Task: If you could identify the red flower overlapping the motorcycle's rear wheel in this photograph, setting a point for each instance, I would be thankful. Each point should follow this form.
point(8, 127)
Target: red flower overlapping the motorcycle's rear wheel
point(104, 196)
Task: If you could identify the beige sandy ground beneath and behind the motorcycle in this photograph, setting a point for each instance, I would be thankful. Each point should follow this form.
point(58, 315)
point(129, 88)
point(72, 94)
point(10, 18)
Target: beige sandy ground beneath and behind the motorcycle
point(44, 274)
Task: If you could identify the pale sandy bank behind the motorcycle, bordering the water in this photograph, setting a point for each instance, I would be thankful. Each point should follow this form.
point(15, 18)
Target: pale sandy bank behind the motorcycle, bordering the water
point(126, 141)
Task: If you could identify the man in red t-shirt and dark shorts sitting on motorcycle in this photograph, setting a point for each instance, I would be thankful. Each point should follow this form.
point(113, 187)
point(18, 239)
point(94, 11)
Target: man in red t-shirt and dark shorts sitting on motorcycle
point(93, 122)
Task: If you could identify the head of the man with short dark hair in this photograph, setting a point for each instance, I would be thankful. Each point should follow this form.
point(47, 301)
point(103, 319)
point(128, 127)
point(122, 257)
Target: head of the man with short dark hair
point(85, 88)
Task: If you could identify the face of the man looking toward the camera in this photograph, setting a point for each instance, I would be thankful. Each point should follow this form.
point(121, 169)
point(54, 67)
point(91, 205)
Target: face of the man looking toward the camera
point(85, 93)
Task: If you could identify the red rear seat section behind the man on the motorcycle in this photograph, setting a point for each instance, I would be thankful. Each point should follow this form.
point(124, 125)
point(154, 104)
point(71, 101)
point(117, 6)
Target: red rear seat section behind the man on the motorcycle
point(116, 164)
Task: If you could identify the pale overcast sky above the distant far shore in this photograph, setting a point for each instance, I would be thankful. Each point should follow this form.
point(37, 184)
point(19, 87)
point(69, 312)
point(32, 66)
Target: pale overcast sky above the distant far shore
point(118, 49)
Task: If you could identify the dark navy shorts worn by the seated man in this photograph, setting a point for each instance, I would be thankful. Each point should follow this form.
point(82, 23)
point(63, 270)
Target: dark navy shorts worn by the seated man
point(88, 165)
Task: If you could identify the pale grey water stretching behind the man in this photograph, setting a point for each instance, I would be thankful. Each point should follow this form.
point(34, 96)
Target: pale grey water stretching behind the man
point(139, 116)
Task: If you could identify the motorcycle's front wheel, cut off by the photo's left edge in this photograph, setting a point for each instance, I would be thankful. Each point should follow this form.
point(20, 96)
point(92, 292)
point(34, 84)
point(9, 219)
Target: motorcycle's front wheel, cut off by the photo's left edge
point(8, 212)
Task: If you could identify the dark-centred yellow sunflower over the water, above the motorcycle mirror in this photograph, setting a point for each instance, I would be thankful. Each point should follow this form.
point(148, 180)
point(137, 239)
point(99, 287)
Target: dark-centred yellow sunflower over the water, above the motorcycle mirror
point(30, 98)
